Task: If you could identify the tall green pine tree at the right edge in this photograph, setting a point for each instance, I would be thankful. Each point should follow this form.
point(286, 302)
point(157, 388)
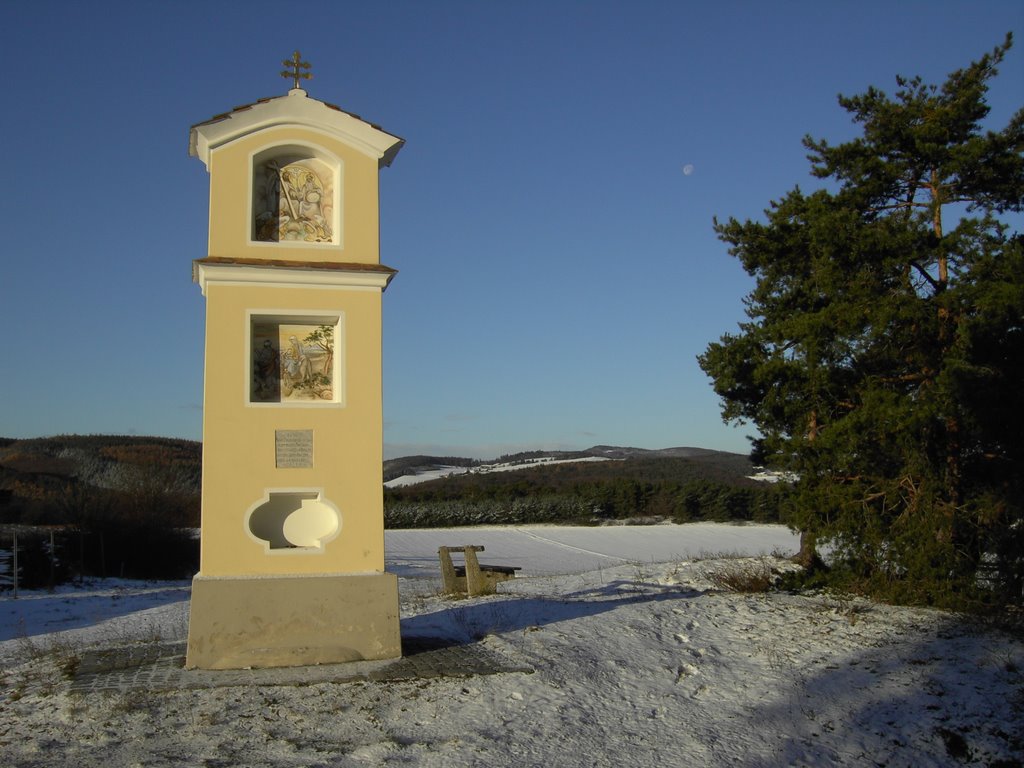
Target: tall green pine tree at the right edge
point(883, 355)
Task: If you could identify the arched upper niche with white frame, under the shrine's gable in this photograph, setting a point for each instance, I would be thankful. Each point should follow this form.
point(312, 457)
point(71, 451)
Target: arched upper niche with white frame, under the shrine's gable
point(296, 197)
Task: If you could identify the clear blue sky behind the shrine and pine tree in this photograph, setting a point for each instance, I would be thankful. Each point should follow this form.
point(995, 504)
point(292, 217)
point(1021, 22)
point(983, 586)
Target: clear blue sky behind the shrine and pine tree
point(559, 272)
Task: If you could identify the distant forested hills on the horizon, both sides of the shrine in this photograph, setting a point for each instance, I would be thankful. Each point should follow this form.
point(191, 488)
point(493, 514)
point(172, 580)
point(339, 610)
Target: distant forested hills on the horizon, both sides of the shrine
point(102, 482)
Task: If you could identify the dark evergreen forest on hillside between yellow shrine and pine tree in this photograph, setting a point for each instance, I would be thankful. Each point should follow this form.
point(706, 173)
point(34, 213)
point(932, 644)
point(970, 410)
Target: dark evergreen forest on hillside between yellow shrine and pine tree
point(681, 490)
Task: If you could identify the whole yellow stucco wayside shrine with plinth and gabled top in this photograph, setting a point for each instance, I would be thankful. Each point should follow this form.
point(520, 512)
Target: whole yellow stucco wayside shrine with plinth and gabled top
point(292, 540)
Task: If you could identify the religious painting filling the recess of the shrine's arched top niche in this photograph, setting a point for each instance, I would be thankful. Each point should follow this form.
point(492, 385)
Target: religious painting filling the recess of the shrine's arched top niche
point(294, 202)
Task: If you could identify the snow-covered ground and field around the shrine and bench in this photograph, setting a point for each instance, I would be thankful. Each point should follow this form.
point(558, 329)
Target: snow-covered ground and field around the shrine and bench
point(639, 660)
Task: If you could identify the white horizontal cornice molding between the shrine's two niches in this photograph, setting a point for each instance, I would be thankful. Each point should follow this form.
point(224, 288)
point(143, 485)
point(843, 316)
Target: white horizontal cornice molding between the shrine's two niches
point(207, 275)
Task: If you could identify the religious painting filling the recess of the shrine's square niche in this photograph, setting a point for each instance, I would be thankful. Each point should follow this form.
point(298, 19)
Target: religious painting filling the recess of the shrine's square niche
point(292, 363)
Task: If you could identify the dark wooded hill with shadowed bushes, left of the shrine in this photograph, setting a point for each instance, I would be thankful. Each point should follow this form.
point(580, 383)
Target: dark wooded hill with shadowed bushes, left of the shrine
point(100, 505)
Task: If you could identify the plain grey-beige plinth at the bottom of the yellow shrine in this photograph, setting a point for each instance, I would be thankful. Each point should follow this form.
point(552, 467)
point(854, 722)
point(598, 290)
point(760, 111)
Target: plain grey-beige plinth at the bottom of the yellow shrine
point(252, 622)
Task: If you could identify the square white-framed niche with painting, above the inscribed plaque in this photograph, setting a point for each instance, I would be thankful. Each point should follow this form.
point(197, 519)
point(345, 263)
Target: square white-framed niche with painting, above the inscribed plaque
point(295, 360)
